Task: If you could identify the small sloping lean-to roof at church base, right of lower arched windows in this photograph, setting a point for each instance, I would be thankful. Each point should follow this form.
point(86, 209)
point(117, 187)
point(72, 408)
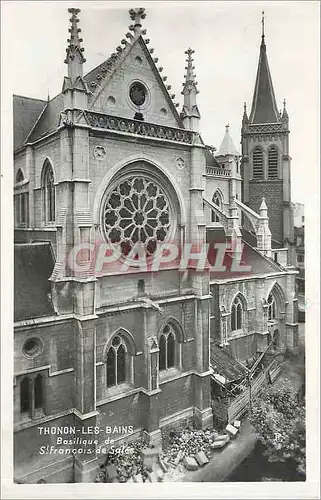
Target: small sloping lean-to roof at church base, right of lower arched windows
point(225, 365)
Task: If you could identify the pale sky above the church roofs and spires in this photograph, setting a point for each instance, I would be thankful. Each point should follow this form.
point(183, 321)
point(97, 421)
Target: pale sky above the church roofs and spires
point(226, 39)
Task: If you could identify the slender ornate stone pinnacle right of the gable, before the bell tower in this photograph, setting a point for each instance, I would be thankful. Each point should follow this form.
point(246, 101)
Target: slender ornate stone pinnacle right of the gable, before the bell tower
point(190, 113)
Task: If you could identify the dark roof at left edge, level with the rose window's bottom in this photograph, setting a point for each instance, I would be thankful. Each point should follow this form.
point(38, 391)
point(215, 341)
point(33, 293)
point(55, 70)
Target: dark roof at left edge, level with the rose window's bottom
point(33, 265)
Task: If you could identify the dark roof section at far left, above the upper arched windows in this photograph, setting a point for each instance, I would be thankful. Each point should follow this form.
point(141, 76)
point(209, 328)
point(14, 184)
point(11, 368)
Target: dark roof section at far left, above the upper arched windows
point(26, 112)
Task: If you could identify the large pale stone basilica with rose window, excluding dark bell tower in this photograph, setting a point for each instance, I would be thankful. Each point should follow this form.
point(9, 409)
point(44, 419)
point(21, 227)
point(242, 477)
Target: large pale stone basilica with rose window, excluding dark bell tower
point(111, 160)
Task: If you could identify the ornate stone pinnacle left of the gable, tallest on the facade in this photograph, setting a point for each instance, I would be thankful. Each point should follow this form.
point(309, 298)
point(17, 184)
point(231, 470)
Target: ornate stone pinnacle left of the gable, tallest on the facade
point(74, 51)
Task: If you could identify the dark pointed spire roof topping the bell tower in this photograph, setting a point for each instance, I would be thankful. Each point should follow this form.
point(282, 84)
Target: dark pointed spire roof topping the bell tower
point(264, 107)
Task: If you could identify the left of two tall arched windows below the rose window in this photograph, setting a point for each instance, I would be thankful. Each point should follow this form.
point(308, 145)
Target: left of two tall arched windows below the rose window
point(116, 362)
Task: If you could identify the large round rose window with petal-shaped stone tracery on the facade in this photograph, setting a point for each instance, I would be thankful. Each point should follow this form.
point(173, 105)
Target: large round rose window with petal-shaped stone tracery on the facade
point(137, 210)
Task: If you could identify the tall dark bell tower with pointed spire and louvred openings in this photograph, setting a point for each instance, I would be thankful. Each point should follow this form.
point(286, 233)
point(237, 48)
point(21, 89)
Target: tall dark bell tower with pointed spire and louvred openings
point(266, 169)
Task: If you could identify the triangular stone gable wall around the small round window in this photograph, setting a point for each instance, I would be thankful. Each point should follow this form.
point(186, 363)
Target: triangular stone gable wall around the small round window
point(111, 84)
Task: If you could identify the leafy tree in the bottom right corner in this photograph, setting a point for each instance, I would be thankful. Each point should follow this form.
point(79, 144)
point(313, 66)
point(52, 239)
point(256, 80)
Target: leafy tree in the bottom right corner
point(279, 419)
